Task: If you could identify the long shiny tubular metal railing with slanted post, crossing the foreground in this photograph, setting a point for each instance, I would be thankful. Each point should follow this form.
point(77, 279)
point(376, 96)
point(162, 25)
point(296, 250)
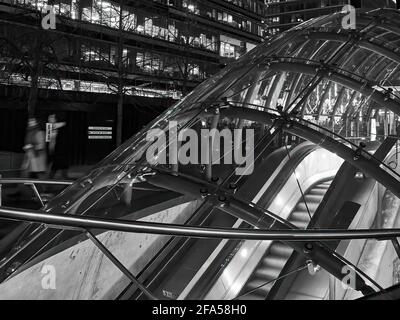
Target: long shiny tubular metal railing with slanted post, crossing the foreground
point(87, 223)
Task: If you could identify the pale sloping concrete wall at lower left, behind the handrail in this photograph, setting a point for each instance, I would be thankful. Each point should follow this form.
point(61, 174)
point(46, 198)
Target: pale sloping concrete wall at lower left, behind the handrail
point(83, 272)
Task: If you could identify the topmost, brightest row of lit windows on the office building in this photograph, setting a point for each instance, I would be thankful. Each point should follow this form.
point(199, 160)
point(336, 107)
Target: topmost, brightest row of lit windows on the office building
point(107, 13)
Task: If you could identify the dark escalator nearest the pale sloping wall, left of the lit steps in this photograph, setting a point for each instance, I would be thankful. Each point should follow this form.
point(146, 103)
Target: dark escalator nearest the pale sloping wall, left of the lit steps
point(180, 260)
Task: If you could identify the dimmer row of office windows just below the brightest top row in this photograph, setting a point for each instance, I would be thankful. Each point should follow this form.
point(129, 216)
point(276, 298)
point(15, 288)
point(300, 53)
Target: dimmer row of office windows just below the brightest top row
point(95, 54)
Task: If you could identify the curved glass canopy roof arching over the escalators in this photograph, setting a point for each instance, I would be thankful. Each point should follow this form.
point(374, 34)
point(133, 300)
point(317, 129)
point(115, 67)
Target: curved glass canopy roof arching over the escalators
point(322, 77)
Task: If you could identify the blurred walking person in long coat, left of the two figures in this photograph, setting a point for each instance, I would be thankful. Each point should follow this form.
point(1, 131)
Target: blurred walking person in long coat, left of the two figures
point(35, 150)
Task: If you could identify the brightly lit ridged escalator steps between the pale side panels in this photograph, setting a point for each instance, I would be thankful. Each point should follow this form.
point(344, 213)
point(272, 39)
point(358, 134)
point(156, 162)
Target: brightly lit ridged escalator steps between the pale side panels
point(277, 255)
